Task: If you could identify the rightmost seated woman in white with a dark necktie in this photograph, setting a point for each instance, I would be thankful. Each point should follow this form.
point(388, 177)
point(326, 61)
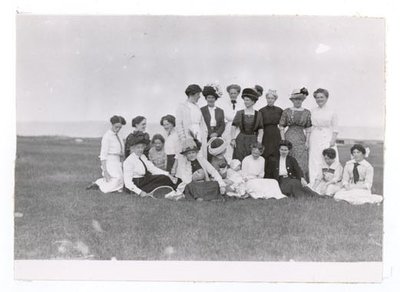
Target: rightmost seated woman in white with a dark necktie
point(358, 176)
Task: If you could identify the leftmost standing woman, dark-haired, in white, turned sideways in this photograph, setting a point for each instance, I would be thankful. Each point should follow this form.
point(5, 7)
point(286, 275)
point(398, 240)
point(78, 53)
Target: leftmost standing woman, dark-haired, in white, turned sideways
point(189, 119)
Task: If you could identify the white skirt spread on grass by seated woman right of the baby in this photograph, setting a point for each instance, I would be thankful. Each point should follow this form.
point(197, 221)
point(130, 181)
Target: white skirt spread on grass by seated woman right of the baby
point(264, 188)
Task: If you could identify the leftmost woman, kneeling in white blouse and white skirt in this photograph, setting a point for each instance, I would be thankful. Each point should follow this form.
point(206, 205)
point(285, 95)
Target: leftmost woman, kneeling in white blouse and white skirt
point(111, 157)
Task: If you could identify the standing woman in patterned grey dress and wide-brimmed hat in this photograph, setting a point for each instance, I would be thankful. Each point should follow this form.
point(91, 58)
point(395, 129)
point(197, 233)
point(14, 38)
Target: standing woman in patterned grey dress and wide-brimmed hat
point(296, 120)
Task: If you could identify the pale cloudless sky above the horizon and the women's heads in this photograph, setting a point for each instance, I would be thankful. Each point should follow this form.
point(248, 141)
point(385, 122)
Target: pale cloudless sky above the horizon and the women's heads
point(88, 68)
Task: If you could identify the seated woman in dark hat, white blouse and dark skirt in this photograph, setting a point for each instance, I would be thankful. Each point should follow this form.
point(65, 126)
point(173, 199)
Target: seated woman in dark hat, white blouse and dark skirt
point(140, 175)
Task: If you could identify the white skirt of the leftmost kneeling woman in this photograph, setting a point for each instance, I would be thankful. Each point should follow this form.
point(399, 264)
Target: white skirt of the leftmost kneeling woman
point(114, 168)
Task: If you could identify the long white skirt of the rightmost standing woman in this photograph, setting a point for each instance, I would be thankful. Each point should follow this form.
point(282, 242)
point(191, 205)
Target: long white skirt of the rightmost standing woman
point(320, 138)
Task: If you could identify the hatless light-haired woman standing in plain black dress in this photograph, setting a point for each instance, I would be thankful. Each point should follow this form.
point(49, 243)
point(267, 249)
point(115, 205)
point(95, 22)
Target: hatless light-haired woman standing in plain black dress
point(271, 116)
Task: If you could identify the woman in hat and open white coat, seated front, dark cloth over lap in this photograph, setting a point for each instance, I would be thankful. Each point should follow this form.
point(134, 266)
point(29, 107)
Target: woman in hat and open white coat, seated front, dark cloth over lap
point(194, 170)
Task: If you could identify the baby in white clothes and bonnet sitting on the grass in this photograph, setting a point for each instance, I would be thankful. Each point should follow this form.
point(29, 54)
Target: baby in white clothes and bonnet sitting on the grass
point(236, 186)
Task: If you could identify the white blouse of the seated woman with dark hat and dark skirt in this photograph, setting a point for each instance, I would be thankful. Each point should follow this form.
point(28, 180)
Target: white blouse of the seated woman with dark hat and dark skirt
point(134, 168)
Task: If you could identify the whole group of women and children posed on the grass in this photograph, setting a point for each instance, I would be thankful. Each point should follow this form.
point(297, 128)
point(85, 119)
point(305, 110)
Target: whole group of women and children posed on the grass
point(235, 150)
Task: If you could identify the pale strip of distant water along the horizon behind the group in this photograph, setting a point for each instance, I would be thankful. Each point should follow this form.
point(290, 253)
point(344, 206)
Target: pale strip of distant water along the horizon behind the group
point(97, 129)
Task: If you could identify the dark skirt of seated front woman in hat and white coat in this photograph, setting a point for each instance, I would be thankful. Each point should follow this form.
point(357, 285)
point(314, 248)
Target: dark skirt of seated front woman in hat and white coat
point(208, 191)
